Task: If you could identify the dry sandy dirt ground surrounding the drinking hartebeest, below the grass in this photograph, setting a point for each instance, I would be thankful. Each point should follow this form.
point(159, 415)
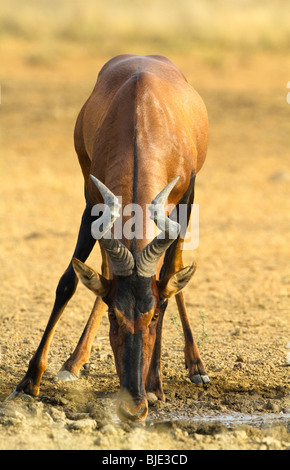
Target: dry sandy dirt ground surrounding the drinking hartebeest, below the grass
point(238, 301)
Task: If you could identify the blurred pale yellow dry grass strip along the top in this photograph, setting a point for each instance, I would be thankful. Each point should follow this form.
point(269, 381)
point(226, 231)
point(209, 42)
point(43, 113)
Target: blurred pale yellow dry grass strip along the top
point(177, 25)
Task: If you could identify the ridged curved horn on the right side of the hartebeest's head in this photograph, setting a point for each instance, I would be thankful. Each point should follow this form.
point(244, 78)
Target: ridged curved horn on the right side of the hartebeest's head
point(150, 255)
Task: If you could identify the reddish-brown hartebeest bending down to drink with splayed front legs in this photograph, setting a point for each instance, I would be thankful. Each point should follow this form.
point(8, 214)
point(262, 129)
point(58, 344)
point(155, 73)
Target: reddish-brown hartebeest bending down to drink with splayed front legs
point(141, 135)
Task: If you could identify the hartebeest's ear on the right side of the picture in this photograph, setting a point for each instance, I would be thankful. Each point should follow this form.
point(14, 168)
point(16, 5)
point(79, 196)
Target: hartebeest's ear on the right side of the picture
point(174, 283)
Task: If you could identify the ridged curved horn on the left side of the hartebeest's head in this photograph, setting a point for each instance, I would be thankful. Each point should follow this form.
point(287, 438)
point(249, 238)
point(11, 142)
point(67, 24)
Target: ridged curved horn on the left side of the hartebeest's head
point(121, 257)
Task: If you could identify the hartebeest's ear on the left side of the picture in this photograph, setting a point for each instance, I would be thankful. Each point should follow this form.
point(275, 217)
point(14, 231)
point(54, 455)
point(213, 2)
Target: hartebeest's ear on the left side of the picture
point(92, 280)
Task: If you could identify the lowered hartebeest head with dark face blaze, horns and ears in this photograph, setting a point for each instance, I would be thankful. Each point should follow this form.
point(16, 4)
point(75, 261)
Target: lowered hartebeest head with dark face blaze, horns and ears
point(134, 297)
